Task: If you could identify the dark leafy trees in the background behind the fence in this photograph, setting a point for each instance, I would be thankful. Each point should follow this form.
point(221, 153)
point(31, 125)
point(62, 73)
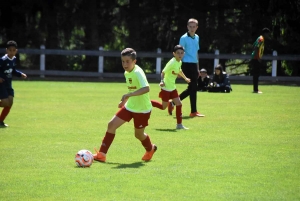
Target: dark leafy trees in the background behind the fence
point(230, 26)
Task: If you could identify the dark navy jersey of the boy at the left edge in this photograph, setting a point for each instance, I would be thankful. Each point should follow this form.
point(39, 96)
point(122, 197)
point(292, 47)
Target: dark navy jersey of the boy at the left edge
point(8, 69)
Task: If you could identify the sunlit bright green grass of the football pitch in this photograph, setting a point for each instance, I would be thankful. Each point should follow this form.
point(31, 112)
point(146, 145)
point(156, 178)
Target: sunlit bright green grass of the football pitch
point(246, 148)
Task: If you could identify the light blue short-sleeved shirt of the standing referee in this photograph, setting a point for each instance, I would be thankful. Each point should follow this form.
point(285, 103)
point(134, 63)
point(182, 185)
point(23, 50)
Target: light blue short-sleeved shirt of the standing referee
point(191, 47)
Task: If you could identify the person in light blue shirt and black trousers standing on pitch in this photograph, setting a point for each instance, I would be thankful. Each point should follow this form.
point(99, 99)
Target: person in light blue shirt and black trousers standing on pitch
point(190, 66)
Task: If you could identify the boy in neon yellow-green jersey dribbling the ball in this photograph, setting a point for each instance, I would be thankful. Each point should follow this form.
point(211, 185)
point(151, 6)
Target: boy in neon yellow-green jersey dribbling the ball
point(134, 105)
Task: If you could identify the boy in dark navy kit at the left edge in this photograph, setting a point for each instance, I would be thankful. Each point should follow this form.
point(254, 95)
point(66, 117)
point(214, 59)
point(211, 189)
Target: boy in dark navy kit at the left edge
point(7, 70)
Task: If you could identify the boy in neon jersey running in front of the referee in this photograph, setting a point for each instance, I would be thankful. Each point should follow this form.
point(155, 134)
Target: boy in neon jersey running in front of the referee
point(168, 87)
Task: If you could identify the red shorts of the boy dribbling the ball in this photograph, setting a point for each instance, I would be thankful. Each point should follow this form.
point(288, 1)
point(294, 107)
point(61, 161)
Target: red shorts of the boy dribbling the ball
point(140, 120)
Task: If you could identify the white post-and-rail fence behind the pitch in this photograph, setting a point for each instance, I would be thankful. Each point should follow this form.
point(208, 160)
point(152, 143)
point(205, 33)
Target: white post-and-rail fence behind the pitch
point(158, 55)
